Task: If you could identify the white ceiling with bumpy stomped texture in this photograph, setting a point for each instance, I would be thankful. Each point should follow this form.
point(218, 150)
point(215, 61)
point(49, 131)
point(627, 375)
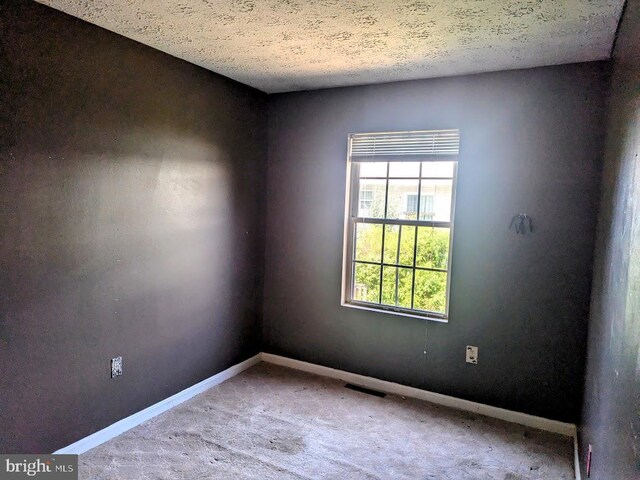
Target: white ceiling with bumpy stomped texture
point(284, 45)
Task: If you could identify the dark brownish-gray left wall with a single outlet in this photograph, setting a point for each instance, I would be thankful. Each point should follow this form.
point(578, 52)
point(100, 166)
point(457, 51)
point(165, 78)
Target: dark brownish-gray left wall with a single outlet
point(131, 223)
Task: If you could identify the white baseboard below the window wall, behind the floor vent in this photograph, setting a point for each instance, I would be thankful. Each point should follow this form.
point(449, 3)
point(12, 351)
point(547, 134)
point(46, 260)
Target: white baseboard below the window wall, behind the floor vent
point(567, 429)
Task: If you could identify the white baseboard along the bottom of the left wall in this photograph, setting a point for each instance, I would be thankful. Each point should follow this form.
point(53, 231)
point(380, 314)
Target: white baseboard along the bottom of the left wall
point(136, 419)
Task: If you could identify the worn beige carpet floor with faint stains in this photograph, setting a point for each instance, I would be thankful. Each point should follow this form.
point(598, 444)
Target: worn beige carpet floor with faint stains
point(274, 423)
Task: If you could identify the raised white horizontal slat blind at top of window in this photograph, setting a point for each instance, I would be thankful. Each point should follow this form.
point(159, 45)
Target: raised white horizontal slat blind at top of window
point(431, 145)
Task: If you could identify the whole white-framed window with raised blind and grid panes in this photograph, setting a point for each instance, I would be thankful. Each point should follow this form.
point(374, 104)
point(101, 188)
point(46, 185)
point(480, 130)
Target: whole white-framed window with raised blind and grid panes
point(400, 209)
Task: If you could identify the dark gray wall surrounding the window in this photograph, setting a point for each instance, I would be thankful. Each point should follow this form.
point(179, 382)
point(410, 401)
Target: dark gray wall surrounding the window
point(530, 142)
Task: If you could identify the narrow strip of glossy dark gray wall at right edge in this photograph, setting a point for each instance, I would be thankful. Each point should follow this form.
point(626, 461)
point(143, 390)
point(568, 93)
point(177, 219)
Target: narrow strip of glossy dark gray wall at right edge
point(612, 396)
